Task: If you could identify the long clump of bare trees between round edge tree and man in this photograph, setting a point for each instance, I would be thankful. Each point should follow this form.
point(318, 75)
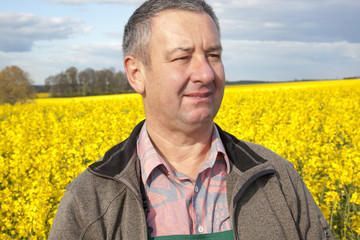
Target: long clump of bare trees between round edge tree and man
point(88, 82)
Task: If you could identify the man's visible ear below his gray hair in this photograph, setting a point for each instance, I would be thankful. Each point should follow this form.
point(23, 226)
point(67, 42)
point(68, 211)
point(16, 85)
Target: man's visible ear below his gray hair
point(134, 71)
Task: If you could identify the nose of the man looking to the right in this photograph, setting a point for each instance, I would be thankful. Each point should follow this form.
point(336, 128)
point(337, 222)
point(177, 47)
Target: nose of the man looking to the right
point(202, 71)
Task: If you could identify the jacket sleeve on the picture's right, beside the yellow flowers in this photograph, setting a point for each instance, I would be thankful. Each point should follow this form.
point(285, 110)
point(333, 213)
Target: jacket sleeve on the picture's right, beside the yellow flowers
point(311, 222)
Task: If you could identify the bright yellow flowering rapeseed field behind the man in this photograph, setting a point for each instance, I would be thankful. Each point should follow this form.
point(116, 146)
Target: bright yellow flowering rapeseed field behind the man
point(315, 125)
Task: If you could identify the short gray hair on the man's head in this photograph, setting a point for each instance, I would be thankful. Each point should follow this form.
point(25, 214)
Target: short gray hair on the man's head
point(137, 31)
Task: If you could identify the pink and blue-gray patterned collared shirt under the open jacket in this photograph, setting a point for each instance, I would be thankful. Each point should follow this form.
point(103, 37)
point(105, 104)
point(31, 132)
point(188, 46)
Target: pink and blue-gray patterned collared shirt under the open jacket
point(179, 205)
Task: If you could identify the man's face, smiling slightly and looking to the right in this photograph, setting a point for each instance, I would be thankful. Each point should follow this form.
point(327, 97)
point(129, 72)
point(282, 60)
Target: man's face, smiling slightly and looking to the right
point(185, 83)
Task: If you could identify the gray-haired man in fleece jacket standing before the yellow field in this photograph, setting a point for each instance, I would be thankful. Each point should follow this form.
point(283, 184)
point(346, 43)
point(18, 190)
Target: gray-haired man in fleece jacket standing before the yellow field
point(178, 175)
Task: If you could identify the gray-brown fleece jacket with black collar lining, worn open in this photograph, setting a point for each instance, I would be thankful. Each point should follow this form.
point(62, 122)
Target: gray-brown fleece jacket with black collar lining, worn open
point(266, 196)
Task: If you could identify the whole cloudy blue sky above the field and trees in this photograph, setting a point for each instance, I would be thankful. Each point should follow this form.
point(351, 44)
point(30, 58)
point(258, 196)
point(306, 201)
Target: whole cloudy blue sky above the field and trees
point(272, 40)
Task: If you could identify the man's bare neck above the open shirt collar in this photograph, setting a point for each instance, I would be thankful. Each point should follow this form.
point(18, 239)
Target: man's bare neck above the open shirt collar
point(184, 151)
